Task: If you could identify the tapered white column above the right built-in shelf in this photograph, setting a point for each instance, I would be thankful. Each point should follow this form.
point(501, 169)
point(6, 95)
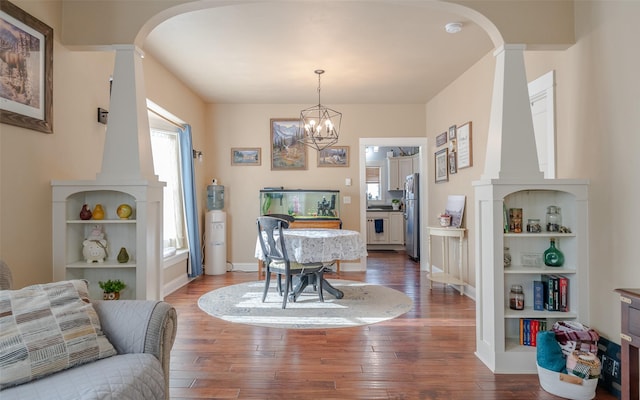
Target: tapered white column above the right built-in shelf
point(511, 146)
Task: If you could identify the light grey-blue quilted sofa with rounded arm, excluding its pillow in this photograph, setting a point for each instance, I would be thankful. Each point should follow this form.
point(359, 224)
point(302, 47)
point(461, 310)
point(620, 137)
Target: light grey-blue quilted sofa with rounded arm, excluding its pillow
point(142, 332)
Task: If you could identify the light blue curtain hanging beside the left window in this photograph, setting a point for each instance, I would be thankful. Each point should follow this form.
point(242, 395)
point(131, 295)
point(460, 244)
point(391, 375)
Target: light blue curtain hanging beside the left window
point(190, 202)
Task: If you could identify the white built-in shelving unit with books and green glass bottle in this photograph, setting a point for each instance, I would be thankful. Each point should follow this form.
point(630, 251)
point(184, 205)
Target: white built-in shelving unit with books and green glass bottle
point(498, 330)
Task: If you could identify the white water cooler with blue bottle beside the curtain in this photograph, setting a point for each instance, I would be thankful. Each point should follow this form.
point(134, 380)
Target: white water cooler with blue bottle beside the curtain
point(215, 248)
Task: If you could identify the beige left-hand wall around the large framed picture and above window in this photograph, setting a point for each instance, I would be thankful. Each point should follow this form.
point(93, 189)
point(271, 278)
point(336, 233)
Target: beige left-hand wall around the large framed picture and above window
point(29, 160)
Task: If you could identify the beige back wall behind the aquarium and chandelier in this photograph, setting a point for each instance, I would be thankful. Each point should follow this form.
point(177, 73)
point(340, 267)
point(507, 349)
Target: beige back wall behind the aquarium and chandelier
point(249, 126)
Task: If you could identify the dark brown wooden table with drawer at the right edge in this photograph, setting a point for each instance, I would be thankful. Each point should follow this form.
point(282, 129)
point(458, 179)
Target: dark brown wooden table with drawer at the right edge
point(630, 343)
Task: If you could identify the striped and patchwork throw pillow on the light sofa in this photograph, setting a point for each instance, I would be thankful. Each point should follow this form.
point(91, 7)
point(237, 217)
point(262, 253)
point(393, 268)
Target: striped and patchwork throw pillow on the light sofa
point(48, 328)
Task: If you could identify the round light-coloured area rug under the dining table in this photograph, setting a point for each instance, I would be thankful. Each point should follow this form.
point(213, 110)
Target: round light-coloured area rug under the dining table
point(362, 304)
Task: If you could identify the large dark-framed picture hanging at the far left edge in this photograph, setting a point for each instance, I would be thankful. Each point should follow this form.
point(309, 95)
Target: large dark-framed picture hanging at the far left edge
point(26, 59)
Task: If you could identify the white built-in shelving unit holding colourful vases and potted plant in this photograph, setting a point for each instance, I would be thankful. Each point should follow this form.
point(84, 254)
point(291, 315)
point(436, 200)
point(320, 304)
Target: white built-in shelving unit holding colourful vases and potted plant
point(139, 235)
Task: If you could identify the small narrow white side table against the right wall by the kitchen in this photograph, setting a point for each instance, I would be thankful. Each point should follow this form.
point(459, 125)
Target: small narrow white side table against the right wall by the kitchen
point(446, 277)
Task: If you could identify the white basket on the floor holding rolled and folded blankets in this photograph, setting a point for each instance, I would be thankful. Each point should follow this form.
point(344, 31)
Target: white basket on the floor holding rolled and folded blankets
point(567, 386)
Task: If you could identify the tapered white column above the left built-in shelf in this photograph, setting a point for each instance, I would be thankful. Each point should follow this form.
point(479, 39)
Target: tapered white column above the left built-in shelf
point(127, 148)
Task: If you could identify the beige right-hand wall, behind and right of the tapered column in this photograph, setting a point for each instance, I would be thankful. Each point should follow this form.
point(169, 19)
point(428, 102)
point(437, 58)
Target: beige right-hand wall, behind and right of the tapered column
point(597, 110)
